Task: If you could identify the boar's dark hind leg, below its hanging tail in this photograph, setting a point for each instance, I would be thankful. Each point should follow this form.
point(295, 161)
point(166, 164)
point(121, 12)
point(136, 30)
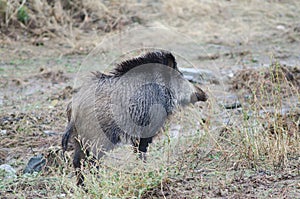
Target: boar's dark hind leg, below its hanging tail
point(79, 157)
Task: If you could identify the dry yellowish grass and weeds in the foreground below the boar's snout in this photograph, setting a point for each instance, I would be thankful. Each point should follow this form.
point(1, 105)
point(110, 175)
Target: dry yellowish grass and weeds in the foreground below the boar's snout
point(257, 151)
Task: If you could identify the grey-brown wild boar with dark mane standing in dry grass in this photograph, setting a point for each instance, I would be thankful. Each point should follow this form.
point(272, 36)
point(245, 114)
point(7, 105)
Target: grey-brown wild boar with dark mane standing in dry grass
point(130, 104)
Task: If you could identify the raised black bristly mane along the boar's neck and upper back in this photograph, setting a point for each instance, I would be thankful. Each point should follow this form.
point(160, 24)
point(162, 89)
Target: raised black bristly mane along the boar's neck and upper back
point(157, 57)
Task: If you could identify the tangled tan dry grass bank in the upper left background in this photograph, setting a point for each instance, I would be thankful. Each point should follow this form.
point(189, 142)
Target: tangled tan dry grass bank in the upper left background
point(67, 21)
